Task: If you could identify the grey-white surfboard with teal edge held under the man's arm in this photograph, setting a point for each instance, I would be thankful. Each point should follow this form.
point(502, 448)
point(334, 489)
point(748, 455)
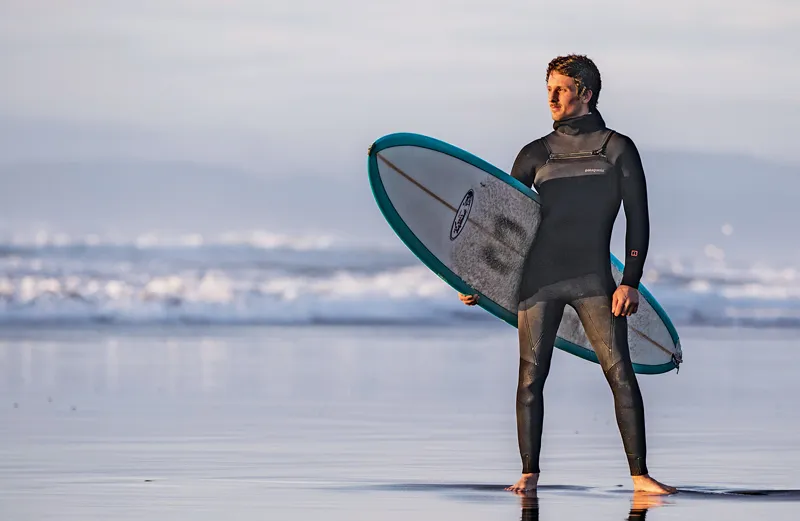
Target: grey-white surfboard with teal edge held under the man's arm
point(472, 224)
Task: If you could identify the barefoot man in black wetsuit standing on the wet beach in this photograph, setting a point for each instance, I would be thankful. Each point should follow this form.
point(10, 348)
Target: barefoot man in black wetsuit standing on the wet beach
point(583, 172)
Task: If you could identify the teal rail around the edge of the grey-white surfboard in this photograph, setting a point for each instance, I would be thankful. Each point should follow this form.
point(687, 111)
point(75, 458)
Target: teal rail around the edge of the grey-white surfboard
point(434, 264)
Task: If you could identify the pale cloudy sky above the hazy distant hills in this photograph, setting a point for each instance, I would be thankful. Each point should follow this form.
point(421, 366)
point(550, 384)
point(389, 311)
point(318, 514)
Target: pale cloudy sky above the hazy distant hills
point(282, 87)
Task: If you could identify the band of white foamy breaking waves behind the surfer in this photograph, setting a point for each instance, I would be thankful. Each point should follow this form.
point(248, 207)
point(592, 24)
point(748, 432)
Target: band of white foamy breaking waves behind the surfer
point(258, 277)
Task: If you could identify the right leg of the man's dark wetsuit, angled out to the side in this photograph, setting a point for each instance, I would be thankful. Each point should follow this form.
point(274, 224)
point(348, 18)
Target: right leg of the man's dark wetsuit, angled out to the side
point(609, 337)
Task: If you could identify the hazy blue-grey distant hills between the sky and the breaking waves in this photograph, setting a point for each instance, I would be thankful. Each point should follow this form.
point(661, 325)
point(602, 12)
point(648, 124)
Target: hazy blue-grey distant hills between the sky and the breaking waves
point(691, 196)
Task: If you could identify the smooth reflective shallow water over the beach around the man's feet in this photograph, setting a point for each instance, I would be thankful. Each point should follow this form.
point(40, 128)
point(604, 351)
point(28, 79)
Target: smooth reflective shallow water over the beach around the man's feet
point(378, 423)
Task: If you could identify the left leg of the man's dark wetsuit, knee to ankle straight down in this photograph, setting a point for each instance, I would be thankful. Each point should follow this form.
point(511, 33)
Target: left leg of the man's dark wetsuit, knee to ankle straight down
point(538, 325)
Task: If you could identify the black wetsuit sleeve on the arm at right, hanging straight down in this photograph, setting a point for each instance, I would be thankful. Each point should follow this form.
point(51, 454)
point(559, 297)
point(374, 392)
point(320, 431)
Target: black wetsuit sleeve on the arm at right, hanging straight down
point(634, 200)
